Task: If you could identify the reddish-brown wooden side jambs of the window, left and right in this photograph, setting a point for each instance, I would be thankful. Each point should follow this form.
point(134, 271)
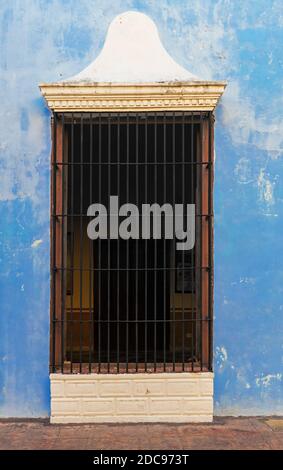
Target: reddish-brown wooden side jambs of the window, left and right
point(58, 243)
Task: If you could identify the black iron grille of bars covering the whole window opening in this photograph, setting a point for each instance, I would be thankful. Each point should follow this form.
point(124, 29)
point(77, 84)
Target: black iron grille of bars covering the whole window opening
point(130, 305)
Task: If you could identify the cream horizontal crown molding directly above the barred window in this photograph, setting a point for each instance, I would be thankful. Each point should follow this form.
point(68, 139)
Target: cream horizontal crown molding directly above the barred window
point(115, 97)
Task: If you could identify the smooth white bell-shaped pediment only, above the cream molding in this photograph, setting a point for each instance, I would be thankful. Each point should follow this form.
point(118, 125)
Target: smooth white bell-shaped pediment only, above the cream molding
point(133, 53)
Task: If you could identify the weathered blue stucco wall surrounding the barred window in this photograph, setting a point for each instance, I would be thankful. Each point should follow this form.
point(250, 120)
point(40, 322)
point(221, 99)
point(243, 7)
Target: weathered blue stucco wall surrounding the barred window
point(237, 40)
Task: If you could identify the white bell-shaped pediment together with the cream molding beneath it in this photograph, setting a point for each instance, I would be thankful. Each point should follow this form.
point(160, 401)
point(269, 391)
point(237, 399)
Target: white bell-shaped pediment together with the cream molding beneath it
point(133, 72)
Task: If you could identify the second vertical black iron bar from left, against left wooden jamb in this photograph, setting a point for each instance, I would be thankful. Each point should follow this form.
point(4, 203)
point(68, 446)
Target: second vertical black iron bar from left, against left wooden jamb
point(63, 240)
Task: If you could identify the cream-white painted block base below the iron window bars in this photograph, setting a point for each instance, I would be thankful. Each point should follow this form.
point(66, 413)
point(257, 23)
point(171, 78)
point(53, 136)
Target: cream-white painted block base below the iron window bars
point(132, 398)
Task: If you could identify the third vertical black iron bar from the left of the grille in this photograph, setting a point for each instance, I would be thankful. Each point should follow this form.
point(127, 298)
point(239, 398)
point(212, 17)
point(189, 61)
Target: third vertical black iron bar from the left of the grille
point(72, 241)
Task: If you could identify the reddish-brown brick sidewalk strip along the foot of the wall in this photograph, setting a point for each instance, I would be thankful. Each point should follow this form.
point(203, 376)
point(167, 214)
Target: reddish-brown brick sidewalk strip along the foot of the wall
point(224, 433)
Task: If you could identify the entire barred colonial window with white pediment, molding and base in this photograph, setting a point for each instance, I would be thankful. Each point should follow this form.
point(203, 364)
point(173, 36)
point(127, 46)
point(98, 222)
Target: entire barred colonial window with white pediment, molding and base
point(132, 235)
